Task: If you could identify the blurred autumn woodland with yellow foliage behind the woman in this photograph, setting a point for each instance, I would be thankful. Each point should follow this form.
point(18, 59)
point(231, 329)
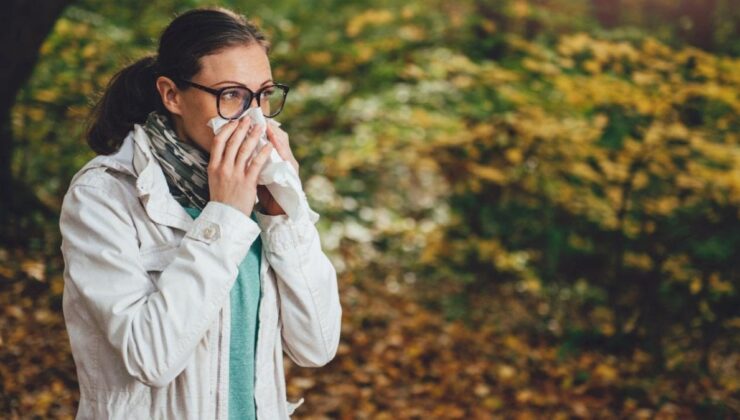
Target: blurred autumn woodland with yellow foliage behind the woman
point(533, 205)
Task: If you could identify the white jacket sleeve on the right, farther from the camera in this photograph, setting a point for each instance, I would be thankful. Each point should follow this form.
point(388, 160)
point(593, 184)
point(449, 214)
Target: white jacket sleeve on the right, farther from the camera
point(310, 309)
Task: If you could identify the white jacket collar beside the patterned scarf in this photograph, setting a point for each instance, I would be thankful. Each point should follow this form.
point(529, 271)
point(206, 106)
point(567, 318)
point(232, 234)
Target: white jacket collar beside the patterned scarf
point(134, 158)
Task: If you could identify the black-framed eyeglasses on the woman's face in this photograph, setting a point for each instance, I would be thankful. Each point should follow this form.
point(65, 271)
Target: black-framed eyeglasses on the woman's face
point(232, 101)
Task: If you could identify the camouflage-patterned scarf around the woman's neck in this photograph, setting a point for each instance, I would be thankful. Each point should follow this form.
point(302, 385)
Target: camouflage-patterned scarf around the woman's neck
point(184, 165)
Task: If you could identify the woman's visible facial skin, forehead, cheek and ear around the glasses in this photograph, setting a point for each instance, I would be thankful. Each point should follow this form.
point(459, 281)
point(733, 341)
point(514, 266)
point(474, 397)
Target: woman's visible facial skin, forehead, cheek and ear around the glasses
point(192, 108)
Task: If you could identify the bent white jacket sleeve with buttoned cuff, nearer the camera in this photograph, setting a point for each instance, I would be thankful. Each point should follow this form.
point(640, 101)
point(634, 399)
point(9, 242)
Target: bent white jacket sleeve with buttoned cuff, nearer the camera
point(154, 327)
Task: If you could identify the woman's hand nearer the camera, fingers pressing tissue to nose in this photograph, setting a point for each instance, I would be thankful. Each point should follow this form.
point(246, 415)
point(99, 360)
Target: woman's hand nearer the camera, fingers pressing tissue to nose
point(231, 179)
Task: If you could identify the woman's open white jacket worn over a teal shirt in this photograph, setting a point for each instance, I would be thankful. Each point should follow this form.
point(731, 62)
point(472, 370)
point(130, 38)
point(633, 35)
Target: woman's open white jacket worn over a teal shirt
point(146, 295)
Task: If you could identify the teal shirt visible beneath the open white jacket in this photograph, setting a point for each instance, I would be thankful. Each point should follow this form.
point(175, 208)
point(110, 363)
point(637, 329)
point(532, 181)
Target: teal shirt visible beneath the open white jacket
point(245, 295)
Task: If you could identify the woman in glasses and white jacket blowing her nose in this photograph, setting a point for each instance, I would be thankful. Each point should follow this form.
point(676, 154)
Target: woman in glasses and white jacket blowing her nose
point(180, 295)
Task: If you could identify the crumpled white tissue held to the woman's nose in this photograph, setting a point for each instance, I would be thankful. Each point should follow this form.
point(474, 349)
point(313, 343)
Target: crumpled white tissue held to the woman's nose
point(279, 176)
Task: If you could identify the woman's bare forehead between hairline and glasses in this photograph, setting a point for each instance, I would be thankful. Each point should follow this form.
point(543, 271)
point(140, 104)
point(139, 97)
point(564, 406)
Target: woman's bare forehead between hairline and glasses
point(246, 64)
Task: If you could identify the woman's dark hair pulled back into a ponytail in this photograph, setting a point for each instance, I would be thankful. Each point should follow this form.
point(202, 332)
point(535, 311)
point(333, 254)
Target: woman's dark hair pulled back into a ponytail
point(131, 93)
